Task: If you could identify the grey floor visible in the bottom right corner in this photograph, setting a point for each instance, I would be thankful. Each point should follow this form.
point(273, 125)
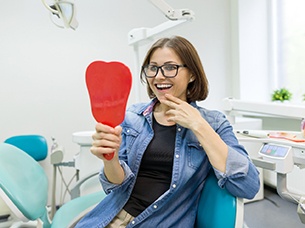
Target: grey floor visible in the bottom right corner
point(271, 212)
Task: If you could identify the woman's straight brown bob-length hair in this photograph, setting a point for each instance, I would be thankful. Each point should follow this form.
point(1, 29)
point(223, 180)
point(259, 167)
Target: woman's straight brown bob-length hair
point(198, 89)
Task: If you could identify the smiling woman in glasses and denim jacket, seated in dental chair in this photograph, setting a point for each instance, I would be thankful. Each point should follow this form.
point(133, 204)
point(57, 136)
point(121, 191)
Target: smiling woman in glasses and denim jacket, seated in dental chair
point(165, 149)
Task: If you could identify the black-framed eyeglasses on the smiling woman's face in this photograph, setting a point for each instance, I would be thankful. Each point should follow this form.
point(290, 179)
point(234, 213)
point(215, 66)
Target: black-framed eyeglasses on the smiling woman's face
point(168, 70)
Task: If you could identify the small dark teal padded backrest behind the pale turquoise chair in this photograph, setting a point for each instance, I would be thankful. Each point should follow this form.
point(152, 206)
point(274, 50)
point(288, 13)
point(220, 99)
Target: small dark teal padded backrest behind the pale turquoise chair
point(34, 145)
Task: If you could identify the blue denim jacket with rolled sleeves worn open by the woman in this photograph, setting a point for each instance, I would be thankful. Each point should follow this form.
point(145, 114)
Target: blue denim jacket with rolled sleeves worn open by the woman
point(177, 207)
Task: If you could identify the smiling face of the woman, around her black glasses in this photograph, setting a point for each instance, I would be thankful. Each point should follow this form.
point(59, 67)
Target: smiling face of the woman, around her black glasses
point(161, 85)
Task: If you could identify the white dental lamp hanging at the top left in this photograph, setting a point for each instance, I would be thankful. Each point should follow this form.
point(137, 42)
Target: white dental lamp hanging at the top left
point(62, 13)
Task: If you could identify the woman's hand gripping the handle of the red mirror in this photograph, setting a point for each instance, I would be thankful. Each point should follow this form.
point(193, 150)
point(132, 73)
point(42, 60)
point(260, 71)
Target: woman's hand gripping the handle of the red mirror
point(106, 140)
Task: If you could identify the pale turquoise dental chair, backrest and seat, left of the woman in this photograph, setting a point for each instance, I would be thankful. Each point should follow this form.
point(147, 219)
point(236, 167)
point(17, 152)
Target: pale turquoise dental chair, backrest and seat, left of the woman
point(24, 188)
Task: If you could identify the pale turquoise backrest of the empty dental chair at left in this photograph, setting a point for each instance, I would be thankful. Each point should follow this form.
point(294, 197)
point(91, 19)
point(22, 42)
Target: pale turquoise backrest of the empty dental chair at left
point(23, 184)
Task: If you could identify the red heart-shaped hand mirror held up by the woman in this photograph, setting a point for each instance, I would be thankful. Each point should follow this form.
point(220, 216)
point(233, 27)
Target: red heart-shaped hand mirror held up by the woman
point(109, 85)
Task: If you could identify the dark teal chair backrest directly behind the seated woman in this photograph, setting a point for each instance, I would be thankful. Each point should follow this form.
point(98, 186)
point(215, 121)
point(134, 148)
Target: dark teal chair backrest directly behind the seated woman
point(217, 207)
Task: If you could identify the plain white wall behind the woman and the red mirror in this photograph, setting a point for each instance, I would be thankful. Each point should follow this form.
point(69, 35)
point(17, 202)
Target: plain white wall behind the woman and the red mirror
point(42, 67)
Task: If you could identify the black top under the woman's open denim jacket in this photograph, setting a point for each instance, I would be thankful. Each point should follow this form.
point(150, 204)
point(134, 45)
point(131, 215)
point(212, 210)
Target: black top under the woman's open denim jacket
point(155, 172)
